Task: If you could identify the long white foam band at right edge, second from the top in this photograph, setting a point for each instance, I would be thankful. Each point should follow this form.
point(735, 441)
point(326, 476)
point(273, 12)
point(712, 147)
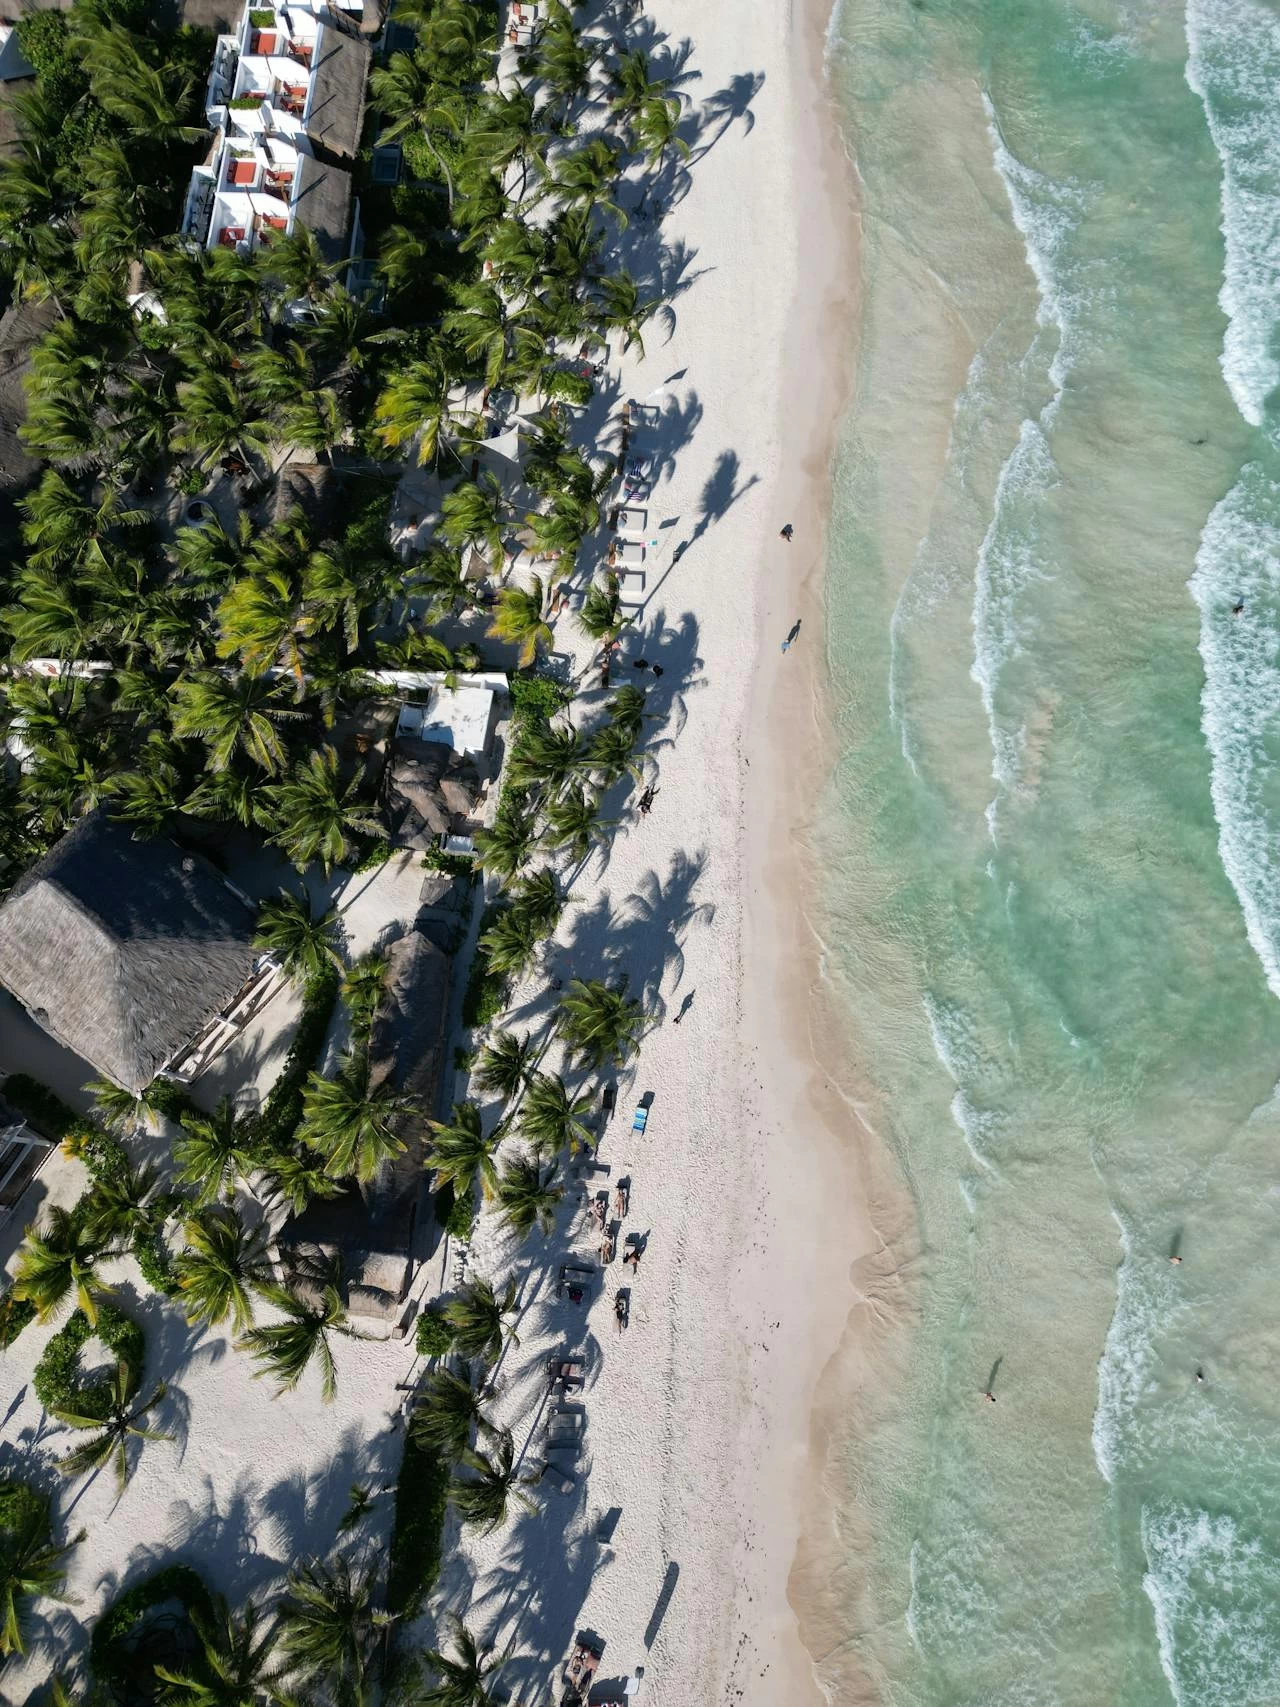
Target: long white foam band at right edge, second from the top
point(1240, 562)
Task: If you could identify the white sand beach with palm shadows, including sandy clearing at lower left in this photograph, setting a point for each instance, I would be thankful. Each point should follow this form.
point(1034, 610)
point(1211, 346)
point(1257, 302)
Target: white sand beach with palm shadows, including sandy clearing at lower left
point(678, 1541)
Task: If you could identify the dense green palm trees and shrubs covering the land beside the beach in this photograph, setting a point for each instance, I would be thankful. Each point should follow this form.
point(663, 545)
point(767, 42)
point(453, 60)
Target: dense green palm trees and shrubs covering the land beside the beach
point(231, 655)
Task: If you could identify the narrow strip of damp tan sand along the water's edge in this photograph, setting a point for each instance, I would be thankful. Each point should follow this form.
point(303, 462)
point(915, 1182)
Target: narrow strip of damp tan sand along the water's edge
point(851, 1279)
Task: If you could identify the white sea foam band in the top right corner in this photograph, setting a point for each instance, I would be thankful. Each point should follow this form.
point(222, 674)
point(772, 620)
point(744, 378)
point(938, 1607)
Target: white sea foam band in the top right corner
point(1235, 67)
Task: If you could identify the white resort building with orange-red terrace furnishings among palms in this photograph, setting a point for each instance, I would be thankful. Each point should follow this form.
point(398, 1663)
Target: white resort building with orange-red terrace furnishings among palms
point(286, 103)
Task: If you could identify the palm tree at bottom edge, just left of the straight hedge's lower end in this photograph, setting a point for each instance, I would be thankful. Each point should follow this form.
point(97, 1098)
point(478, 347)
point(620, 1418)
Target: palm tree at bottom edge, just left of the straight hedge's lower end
point(329, 1629)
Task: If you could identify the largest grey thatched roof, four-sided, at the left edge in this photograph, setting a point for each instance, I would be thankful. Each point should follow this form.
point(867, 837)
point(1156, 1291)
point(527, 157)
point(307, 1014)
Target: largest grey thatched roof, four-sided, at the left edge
point(124, 950)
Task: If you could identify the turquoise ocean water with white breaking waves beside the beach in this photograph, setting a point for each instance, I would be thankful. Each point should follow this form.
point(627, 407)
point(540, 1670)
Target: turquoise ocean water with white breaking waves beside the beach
point(1052, 848)
